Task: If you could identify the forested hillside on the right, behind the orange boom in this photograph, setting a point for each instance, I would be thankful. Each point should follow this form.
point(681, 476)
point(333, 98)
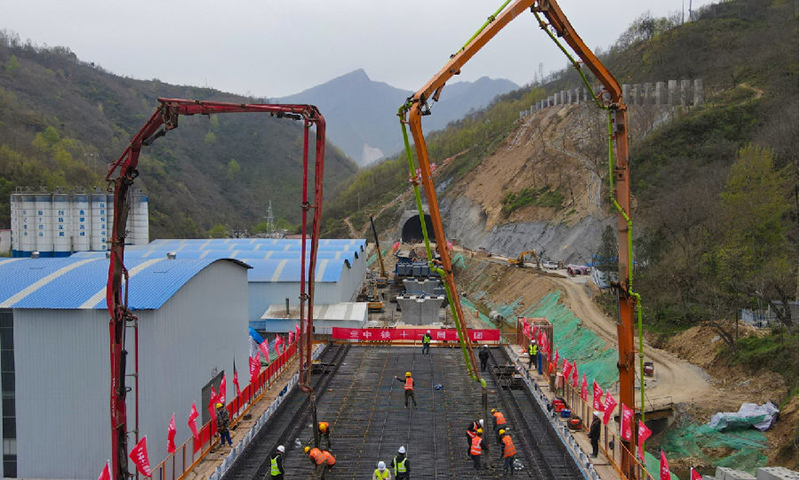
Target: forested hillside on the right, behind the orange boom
point(714, 187)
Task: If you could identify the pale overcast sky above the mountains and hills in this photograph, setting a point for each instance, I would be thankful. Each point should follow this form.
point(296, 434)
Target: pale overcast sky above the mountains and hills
point(273, 48)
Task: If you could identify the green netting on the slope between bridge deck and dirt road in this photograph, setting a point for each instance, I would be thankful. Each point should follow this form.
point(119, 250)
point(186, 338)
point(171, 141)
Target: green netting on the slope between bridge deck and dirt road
point(577, 343)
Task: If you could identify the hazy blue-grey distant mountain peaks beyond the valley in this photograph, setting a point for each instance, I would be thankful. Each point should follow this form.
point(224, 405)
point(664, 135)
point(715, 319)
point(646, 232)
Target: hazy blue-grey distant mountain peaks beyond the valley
point(361, 112)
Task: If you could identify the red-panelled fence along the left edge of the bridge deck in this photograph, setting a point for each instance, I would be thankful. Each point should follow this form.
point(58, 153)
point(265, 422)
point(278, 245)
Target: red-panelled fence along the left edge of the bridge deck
point(192, 451)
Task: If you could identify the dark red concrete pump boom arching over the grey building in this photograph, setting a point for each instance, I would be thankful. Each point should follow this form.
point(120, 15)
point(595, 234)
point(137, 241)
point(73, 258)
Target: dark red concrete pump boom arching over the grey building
point(164, 119)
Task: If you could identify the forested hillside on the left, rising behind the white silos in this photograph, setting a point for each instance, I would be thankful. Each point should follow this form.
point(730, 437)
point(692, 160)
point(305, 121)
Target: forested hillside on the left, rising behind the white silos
point(62, 120)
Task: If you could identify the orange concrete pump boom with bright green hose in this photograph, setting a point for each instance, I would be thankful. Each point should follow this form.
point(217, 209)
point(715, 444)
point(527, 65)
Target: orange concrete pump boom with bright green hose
point(552, 20)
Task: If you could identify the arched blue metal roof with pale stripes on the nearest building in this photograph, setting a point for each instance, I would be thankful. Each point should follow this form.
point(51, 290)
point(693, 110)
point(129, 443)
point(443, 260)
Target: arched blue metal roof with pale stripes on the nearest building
point(80, 283)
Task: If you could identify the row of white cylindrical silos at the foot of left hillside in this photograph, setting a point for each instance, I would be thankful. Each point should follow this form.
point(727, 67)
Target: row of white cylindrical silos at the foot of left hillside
point(59, 224)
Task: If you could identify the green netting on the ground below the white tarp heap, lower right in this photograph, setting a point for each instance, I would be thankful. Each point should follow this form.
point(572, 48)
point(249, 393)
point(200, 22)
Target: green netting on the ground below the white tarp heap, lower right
point(742, 449)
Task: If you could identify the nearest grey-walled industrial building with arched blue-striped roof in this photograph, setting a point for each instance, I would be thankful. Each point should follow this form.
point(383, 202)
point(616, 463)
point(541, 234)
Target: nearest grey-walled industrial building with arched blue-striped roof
point(192, 326)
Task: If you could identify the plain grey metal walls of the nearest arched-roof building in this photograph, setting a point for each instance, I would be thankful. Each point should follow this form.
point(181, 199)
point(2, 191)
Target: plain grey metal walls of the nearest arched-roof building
point(62, 369)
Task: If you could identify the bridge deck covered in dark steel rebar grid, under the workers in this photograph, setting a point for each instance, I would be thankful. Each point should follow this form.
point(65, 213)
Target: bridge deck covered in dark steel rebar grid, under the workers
point(359, 396)
